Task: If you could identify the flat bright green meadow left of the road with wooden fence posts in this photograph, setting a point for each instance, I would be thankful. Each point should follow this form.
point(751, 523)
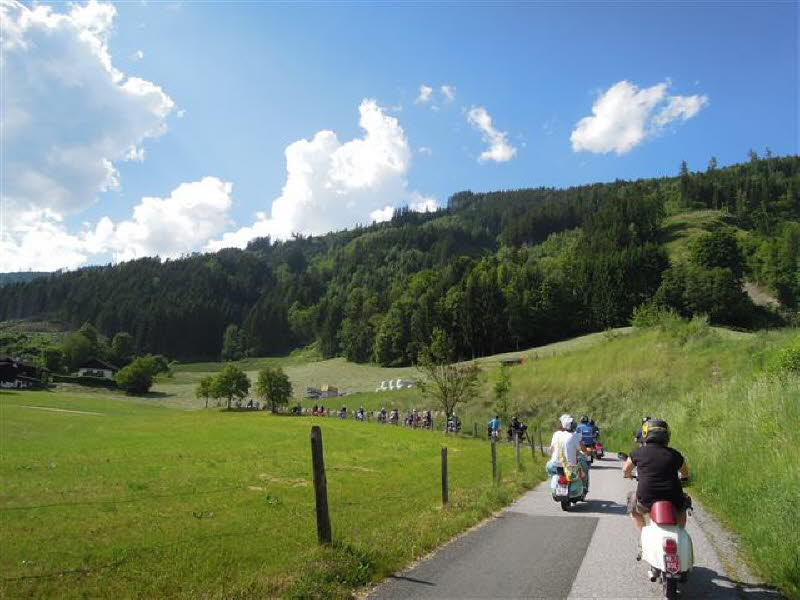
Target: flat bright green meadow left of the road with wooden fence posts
point(111, 498)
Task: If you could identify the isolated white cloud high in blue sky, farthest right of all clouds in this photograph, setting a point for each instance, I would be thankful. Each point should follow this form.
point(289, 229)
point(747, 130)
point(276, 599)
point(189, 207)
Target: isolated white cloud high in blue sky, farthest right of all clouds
point(625, 115)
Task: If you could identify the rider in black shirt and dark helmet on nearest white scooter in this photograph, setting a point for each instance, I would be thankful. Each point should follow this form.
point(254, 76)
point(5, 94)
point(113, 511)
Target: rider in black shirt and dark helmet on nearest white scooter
point(658, 467)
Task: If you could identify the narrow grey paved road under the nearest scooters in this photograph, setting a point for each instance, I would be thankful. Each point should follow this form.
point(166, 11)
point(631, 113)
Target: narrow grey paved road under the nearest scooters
point(535, 550)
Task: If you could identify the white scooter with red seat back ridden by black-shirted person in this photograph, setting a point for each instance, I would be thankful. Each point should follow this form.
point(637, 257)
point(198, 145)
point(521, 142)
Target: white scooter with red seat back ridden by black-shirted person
point(667, 548)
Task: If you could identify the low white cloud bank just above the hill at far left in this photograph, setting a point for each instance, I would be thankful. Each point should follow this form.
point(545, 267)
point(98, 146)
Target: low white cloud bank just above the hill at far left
point(168, 227)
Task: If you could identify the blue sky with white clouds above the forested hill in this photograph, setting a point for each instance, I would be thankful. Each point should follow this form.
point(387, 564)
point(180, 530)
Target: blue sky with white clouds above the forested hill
point(241, 82)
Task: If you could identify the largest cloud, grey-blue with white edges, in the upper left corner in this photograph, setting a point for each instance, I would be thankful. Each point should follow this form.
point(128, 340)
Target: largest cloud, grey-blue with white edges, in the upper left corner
point(67, 113)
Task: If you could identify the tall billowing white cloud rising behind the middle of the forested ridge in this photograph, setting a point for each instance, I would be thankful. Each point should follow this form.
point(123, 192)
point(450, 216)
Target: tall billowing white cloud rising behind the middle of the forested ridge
point(330, 185)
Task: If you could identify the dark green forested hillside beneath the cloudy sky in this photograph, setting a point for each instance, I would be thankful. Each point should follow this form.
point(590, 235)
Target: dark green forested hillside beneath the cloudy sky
point(495, 271)
